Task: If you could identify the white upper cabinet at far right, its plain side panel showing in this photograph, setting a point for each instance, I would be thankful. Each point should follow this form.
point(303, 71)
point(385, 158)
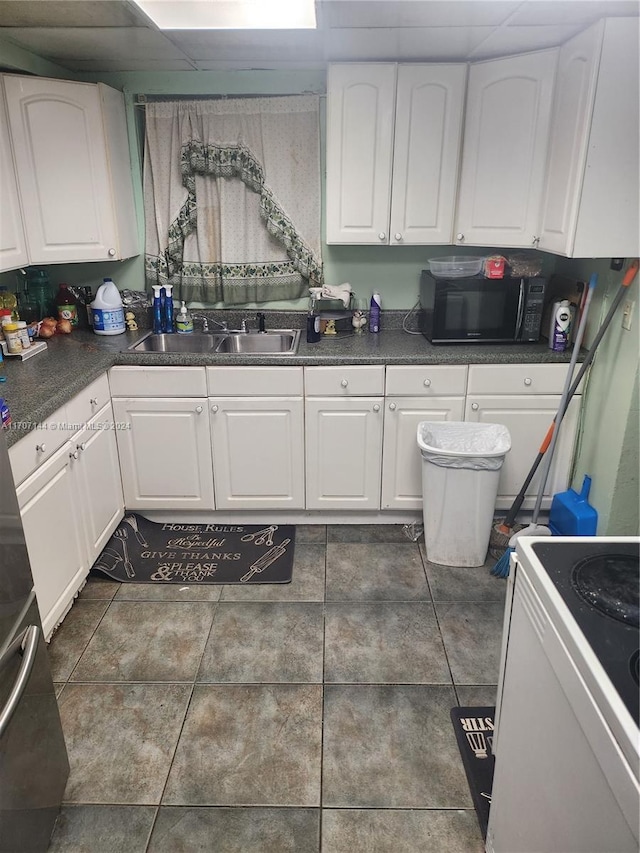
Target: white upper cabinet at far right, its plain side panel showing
point(592, 188)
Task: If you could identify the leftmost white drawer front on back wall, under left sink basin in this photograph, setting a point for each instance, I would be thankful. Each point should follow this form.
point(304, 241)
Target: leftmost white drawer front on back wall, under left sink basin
point(158, 382)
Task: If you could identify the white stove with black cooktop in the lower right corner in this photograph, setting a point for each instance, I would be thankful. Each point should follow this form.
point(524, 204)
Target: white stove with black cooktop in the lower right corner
point(567, 742)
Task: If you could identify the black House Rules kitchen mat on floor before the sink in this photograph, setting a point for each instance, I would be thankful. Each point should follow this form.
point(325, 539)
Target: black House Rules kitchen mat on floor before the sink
point(143, 551)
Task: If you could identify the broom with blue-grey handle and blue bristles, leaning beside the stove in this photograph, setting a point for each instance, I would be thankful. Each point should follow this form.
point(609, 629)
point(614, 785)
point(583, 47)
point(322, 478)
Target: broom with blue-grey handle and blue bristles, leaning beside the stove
point(501, 568)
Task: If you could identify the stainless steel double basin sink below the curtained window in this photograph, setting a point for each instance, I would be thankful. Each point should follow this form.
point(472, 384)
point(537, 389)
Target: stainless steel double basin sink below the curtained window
point(271, 342)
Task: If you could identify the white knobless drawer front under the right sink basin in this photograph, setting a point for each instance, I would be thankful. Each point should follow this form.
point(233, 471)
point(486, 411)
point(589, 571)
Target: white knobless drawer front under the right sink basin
point(255, 381)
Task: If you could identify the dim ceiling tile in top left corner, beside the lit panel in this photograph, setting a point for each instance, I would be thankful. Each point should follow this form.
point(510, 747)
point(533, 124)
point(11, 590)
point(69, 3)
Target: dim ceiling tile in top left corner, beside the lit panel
point(68, 13)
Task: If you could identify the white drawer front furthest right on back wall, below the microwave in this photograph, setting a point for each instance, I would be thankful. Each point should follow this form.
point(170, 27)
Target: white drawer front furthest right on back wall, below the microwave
point(517, 379)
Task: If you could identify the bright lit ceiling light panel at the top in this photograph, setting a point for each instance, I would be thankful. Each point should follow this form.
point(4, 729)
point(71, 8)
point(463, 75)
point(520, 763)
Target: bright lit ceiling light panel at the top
point(230, 14)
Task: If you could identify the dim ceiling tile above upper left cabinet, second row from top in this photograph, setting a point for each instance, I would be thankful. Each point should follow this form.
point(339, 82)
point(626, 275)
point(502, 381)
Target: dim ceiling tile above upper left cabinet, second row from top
point(112, 43)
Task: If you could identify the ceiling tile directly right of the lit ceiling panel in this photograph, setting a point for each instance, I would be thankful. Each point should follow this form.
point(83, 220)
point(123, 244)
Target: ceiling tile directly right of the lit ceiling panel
point(414, 13)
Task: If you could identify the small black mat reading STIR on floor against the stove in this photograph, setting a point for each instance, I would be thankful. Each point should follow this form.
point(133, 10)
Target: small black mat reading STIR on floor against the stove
point(473, 728)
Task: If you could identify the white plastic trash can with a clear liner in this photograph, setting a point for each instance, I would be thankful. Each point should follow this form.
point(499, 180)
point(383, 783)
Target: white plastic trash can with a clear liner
point(461, 465)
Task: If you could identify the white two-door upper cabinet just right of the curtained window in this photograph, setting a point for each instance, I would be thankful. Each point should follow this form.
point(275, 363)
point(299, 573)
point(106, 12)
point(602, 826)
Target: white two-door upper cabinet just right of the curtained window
point(393, 144)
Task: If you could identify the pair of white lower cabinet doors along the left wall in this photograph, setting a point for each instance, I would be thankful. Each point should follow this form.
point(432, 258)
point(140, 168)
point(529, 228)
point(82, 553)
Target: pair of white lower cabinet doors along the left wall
point(70, 506)
